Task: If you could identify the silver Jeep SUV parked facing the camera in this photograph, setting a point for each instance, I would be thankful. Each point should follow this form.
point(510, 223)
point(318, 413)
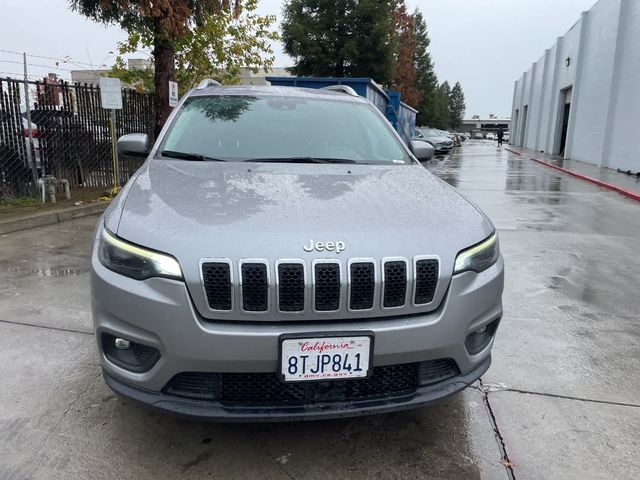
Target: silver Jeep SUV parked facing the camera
point(282, 255)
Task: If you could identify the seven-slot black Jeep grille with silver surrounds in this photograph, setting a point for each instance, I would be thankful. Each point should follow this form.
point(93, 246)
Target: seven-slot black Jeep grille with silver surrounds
point(322, 286)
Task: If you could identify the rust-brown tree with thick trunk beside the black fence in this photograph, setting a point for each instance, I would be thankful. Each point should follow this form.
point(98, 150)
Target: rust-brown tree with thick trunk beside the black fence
point(162, 24)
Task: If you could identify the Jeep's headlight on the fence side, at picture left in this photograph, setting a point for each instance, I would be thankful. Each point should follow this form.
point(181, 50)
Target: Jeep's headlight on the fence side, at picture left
point(133, 261)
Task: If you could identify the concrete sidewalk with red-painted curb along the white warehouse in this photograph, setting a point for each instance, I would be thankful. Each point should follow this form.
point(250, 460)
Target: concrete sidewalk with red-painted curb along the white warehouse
point(628, 185)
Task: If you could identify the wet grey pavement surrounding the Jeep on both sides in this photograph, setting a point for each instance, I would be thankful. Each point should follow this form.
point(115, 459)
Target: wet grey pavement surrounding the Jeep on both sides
point(561, 400)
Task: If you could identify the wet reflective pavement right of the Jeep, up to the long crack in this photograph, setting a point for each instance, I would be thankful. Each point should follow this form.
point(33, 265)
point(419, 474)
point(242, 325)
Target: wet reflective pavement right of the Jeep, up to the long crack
point(568, 342)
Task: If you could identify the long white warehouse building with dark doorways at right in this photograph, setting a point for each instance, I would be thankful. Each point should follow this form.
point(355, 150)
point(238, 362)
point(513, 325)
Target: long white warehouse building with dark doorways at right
point(581, 100)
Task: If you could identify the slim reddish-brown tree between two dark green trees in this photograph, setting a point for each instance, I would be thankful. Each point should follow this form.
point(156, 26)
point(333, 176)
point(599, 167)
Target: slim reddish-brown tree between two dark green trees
point(404, 76)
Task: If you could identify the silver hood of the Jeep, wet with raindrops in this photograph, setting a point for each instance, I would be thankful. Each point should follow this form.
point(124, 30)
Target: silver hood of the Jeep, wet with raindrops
point(196, 210)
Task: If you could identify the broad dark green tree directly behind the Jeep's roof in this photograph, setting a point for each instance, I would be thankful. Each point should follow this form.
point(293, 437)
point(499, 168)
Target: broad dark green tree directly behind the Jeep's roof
point(339, 38)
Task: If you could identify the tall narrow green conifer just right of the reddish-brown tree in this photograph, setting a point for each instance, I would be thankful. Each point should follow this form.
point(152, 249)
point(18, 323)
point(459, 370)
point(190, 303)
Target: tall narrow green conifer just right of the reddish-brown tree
point(426, 80)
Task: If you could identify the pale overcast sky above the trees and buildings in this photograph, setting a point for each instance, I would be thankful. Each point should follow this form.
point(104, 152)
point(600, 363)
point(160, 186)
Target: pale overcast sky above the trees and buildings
point(483, 44)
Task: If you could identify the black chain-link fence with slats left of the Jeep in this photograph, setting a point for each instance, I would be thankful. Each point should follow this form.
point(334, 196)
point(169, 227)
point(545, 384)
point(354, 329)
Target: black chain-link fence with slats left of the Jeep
point(69, 136)
